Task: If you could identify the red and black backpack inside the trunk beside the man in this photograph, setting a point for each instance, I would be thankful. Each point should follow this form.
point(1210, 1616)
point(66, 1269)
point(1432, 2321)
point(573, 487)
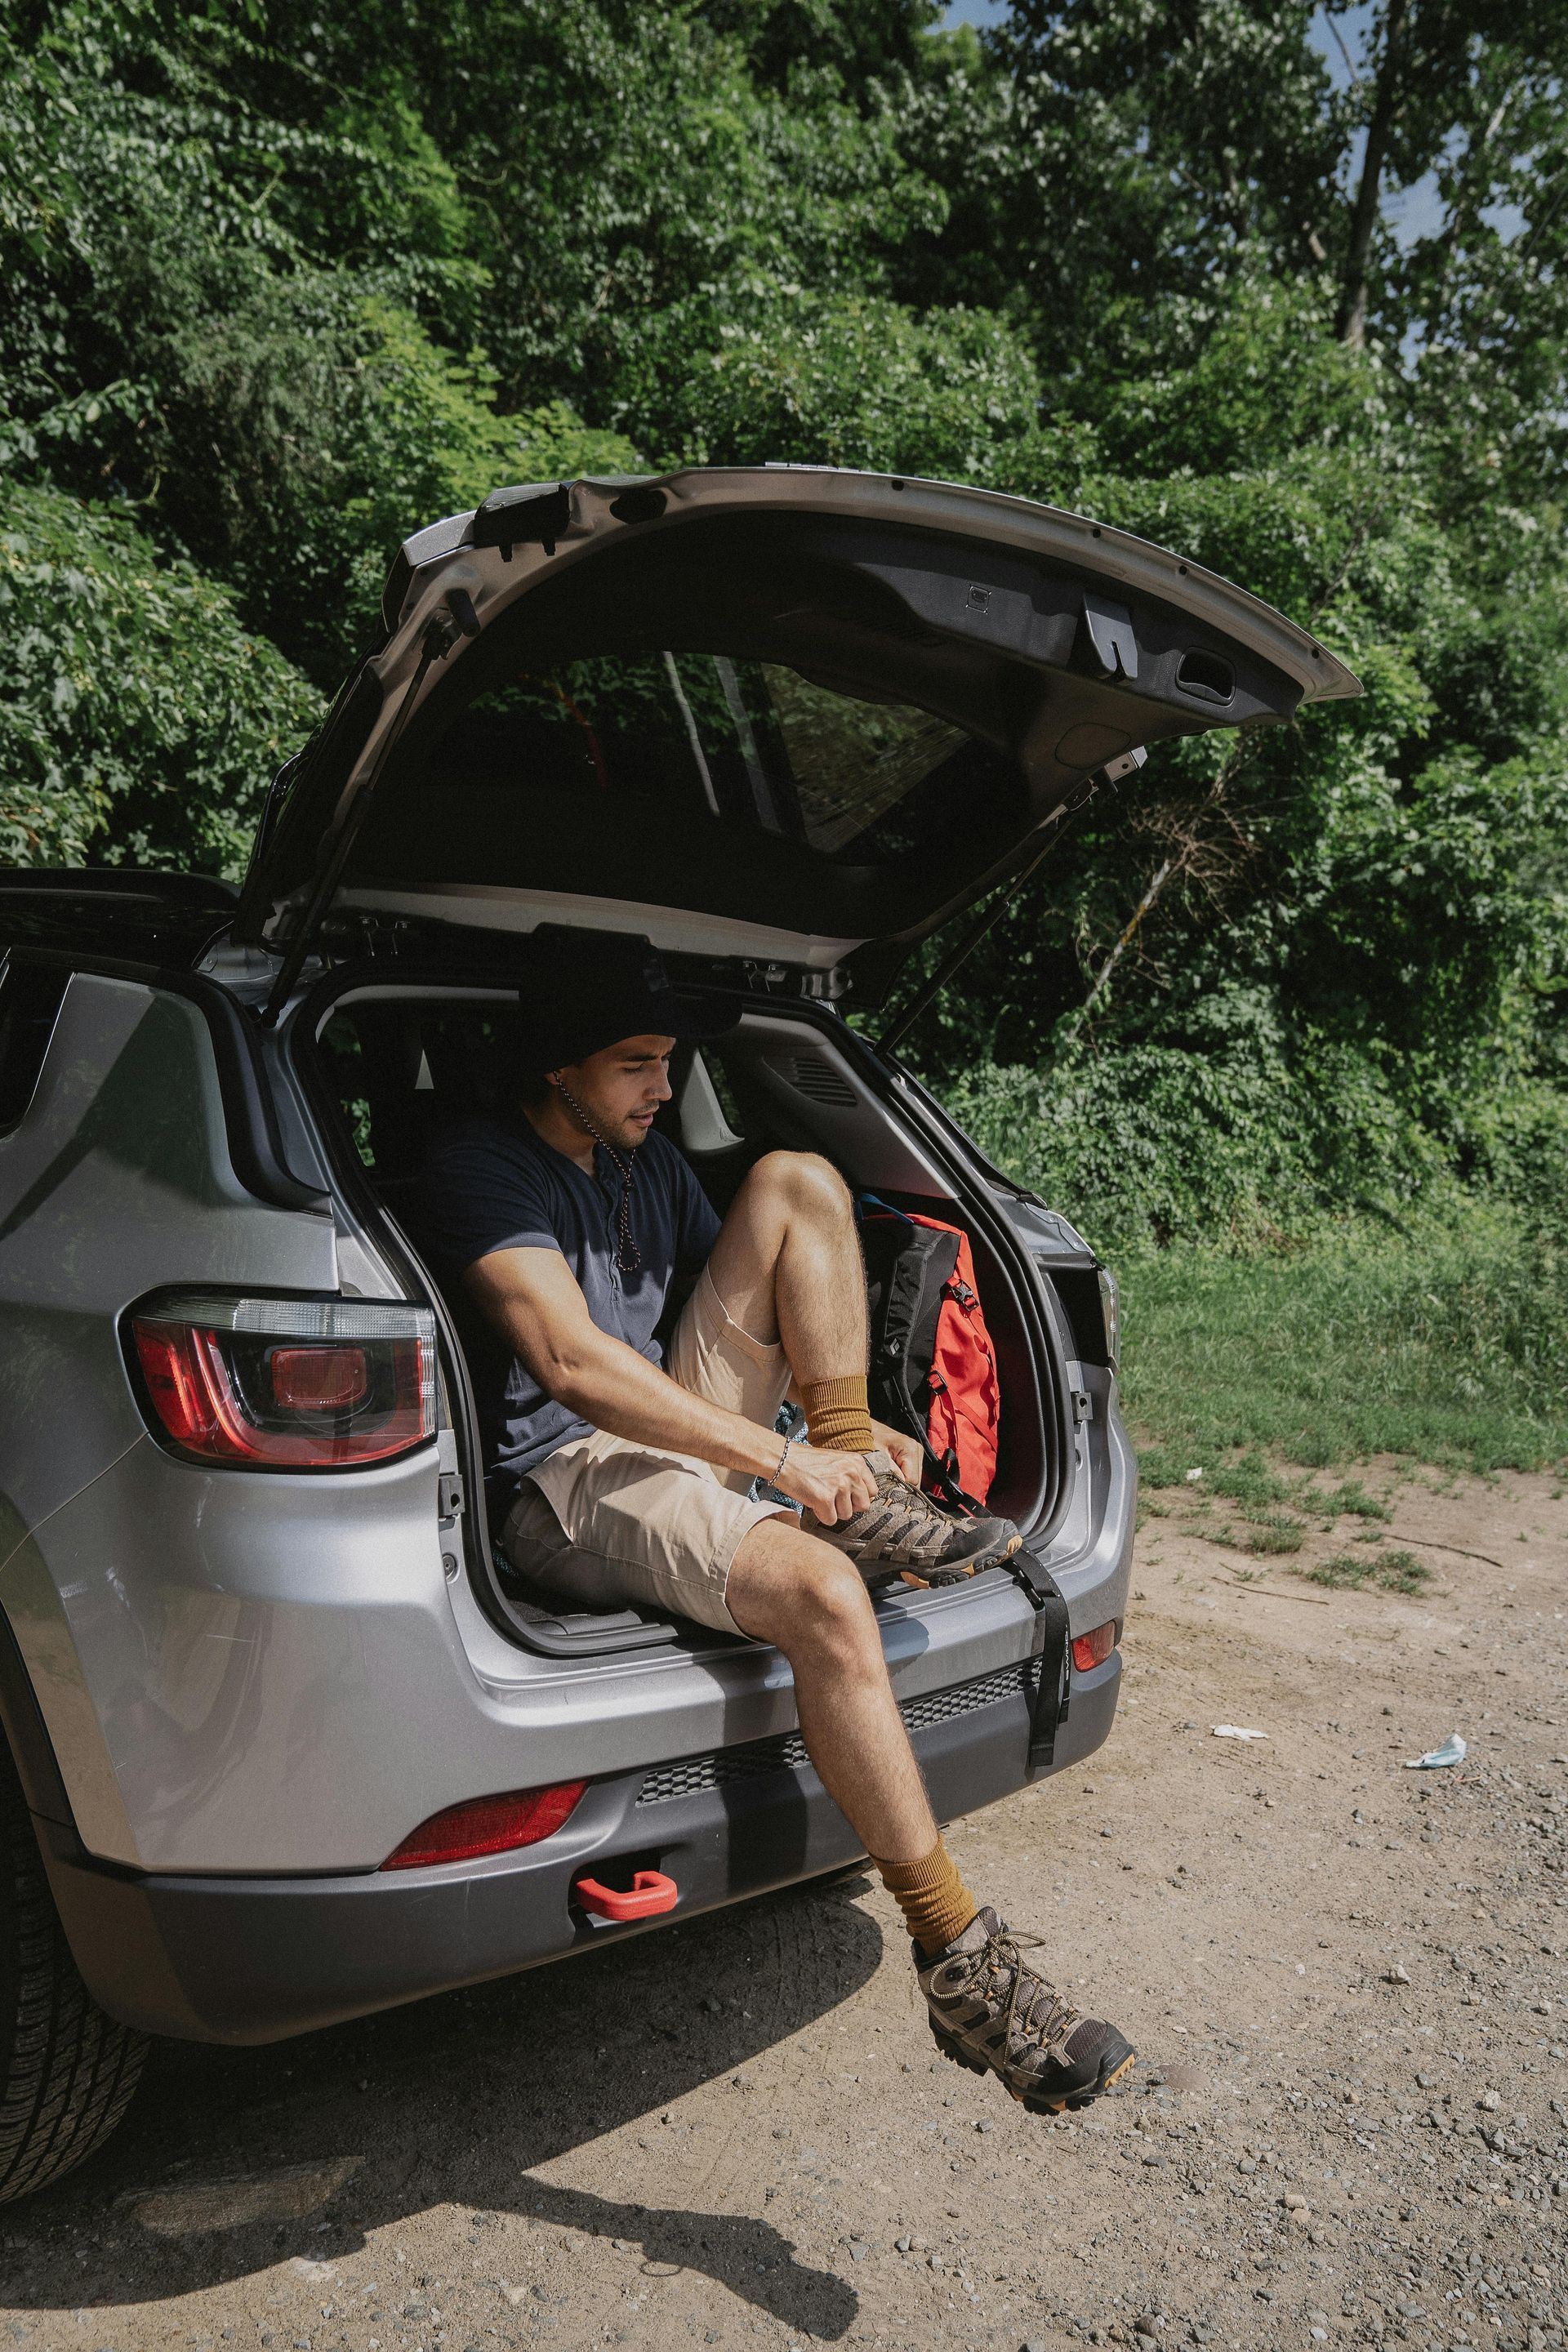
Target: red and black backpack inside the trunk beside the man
point(932, 1368)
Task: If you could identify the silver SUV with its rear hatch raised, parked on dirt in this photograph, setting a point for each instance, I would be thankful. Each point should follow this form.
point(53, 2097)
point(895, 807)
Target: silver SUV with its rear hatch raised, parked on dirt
point(286, 1742)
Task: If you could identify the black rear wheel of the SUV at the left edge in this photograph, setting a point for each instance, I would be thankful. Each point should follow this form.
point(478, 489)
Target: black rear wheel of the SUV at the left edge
point(67, 2071)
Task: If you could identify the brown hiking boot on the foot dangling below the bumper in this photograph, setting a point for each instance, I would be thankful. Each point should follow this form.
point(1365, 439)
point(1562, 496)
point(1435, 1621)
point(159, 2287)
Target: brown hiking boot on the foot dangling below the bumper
point(996, 2017)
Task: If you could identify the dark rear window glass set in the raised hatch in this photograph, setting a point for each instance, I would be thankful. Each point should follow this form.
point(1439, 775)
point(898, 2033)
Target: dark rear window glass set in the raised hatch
point(706, 735)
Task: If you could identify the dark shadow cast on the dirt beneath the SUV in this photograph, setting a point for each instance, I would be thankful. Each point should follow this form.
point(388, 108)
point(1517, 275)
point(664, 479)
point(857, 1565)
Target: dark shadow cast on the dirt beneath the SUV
point(229, 2158)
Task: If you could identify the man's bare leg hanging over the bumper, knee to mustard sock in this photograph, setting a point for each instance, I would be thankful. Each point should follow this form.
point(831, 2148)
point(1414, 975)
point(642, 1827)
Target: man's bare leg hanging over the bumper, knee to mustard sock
point(798, 1593)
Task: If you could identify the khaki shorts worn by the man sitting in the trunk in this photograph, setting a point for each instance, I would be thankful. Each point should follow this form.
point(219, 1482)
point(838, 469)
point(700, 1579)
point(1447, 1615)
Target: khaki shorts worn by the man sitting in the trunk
point(608, 1523)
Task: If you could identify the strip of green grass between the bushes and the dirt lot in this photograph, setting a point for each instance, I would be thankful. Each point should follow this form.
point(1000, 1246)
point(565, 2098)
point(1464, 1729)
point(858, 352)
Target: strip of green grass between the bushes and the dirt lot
point(1447, 1344)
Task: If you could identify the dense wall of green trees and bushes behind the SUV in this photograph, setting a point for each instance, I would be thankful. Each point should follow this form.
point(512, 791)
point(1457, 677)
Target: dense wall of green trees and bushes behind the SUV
point(1271, 283)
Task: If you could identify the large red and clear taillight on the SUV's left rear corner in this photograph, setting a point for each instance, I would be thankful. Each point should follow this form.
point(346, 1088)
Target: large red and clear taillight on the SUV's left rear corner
point(286, 1384)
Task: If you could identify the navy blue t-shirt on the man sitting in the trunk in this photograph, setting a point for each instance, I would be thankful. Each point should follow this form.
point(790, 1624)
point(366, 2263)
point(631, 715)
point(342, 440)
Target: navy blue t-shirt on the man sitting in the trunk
point(500, 1187)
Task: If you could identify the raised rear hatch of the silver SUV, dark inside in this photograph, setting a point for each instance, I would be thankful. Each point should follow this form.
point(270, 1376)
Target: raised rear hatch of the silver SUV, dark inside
point(751, 714)
